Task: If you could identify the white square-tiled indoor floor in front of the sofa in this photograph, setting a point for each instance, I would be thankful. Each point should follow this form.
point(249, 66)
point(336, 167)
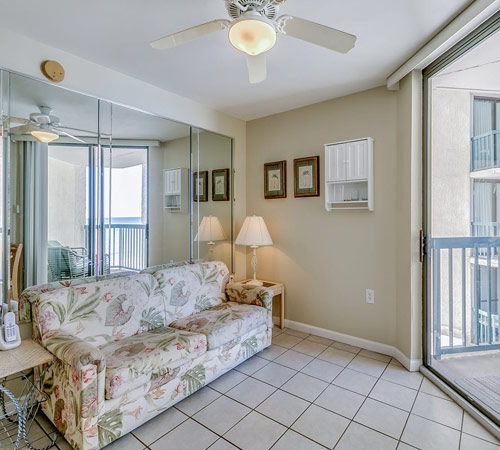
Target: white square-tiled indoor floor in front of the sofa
point(307, 392)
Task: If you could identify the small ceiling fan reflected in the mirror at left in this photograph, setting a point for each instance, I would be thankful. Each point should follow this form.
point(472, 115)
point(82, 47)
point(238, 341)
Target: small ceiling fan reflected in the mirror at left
point(42, 126)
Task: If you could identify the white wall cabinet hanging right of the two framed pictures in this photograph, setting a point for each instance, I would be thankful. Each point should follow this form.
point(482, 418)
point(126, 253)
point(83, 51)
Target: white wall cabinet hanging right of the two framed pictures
point(349, 175)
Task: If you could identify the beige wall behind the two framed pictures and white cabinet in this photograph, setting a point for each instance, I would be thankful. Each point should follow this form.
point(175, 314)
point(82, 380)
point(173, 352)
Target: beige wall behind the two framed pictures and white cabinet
point(328, 259)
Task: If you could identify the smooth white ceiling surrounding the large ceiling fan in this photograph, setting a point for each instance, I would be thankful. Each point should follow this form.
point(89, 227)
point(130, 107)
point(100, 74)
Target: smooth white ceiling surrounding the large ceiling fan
point(116, 33)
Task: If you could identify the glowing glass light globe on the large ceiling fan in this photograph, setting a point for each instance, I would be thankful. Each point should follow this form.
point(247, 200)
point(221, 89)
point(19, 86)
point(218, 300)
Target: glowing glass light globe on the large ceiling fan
point(252, 36)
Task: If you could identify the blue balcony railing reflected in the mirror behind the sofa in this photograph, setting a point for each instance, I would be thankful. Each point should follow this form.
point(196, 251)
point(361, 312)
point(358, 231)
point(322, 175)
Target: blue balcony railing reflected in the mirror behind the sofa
point(125, 246)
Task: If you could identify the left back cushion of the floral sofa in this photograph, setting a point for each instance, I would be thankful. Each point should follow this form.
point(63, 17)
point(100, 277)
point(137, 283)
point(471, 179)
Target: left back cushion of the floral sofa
point(103, 311)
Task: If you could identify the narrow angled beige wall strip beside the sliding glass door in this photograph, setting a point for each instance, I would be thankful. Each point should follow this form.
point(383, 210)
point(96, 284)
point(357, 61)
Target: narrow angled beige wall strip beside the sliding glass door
point(409, 217)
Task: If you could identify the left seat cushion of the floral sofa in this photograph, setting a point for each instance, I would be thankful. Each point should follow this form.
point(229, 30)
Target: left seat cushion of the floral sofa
point(155, 355)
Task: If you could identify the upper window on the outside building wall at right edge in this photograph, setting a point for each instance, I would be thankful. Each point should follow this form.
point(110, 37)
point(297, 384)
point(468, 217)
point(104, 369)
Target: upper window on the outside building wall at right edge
point(486, 133)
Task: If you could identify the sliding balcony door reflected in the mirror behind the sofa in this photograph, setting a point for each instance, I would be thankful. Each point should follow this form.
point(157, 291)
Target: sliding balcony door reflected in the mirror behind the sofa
point(97, 210)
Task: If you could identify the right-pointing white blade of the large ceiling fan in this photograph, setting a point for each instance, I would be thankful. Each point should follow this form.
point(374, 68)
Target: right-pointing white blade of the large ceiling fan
point(315, 33)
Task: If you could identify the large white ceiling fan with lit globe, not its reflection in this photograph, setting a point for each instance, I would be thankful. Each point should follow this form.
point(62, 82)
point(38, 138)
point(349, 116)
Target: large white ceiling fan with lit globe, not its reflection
point(253, 31)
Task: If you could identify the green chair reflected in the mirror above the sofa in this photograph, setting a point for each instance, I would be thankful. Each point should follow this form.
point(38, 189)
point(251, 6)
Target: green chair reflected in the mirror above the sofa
point(66, 262)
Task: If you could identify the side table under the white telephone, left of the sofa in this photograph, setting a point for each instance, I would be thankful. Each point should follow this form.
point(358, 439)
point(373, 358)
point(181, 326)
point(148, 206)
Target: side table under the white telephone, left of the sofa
point(17, 414)
